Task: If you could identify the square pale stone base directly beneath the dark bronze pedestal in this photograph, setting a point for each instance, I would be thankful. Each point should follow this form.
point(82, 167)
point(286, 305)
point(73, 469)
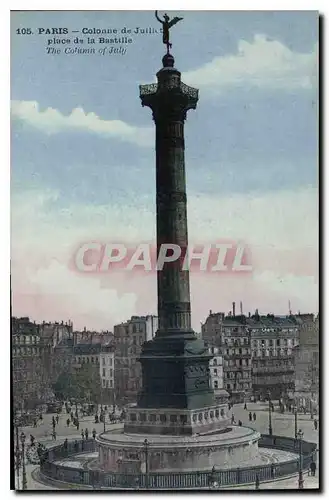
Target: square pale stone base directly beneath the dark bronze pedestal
point(176, 422)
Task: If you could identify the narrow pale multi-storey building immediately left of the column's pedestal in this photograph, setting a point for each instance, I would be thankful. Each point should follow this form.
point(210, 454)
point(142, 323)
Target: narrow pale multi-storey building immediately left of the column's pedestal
point(128, 339)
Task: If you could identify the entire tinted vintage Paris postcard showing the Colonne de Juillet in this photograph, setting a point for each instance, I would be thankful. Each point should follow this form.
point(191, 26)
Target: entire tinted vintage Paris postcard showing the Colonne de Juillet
point(164, 250)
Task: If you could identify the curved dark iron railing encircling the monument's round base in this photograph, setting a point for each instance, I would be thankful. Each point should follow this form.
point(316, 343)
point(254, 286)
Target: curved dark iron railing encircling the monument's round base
point(180, 480)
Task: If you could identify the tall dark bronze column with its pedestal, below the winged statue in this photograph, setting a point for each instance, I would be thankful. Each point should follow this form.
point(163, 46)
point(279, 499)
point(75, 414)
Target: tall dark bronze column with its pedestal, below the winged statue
point(175, 364)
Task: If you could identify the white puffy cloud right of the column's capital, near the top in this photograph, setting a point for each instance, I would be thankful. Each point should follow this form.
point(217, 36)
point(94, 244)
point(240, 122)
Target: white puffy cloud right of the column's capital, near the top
point(262, 63)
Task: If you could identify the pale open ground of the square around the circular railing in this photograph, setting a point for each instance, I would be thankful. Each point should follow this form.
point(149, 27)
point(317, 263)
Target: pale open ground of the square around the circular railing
point(282, 424)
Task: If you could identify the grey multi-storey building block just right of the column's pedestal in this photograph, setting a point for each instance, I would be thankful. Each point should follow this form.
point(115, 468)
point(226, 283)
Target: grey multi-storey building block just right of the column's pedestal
point(257, 352)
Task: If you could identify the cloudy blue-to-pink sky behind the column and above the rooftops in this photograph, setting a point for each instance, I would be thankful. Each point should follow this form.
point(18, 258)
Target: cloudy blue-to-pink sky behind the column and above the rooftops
point(83, 165)
